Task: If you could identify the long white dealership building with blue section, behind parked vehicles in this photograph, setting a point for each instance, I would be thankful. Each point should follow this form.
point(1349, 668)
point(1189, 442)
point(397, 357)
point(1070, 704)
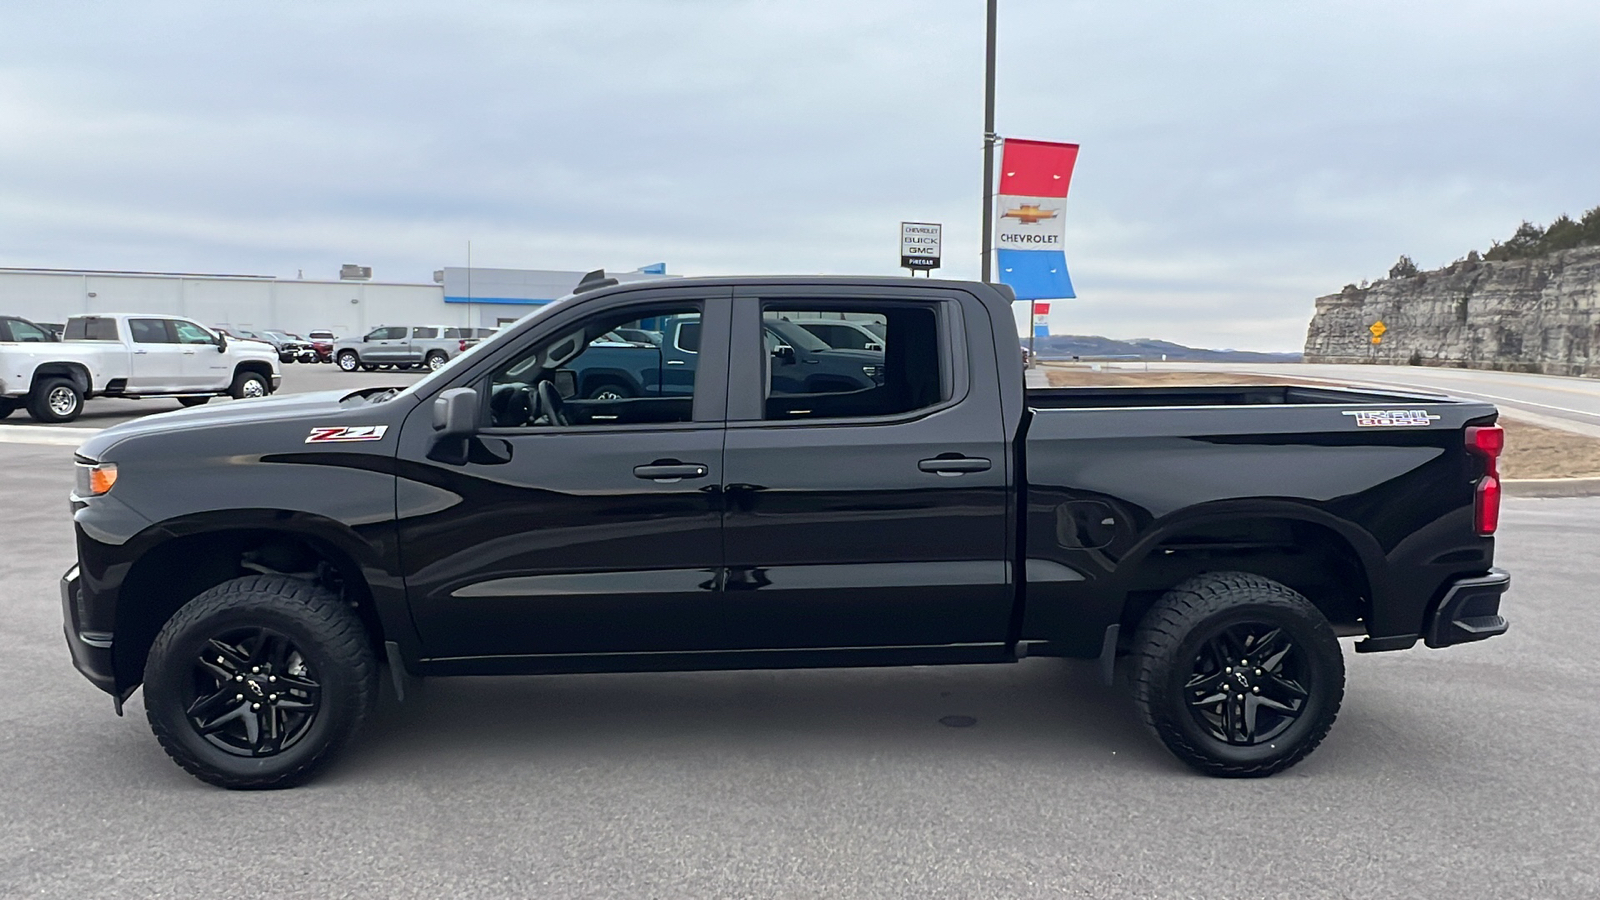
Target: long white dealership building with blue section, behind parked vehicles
point(350, 307)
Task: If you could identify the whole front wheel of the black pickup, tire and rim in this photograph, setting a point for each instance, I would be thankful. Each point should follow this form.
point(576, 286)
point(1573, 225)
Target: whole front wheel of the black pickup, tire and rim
point(260, 681)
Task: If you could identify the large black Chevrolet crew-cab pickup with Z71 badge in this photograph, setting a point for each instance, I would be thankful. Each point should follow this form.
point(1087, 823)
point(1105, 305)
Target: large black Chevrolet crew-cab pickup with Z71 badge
point(252, 566)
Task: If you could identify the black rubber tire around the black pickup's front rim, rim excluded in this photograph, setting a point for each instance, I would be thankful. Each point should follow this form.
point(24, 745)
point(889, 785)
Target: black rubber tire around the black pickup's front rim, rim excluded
point(326, 630)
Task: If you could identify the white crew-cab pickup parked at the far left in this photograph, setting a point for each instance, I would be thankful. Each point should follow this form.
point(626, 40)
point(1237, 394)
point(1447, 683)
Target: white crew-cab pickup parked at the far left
point(118, 355)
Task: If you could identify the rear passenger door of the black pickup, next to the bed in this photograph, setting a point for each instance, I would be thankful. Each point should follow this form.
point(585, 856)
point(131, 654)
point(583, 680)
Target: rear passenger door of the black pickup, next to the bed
point(870, 512)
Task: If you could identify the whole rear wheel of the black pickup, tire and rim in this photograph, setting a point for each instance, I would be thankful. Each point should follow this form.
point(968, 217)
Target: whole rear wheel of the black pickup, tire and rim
point(1238, 675)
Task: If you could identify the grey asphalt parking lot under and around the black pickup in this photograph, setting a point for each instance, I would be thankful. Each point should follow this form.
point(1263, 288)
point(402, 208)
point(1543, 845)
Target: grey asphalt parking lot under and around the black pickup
point(1468, 773)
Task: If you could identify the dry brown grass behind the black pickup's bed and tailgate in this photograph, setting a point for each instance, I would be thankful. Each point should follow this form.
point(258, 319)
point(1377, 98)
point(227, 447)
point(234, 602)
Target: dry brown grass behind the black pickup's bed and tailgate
point(1532, 451)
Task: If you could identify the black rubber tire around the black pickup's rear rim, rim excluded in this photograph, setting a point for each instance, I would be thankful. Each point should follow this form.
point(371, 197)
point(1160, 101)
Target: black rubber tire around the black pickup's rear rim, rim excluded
point(1167, 649)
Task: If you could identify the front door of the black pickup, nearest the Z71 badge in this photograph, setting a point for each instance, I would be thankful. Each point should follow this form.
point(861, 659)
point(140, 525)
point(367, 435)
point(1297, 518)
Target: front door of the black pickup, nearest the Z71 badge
point(575, 524)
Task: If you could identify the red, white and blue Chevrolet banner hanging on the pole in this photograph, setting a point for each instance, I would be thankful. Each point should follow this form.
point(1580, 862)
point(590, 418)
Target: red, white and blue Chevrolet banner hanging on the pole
point(1034, 179)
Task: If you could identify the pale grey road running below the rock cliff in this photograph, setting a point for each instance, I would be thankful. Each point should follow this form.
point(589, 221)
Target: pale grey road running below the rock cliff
point(1572, 404)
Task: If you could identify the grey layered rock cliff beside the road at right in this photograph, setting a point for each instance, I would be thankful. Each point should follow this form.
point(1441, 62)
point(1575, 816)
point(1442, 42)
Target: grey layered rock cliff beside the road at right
point(1518, 315)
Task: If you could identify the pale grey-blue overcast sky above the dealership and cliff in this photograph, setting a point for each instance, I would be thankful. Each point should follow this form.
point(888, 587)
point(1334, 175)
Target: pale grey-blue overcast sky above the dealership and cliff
point(1239, 158)
